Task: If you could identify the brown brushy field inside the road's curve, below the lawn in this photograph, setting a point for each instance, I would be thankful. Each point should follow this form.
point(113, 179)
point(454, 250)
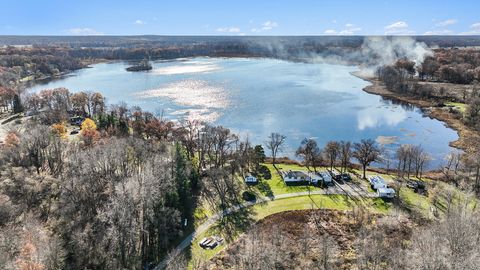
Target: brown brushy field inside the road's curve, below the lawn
point(300, 239)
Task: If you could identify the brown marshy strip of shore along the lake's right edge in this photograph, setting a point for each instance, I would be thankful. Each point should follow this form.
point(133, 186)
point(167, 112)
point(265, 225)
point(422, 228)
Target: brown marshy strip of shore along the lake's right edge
point(430, 108)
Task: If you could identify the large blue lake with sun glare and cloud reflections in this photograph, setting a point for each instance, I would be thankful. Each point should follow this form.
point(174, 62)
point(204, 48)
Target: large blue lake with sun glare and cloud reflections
point(254, 97)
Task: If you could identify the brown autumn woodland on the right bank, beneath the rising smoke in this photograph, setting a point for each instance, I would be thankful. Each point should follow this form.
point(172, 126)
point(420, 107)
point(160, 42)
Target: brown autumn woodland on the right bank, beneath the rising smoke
point(452, 66)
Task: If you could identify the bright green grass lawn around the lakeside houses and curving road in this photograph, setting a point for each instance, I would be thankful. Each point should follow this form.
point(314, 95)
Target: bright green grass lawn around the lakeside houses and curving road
point(276, 186)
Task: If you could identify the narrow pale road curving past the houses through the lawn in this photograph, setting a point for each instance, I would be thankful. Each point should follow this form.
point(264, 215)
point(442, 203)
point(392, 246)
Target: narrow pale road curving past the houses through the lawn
point(214, 218)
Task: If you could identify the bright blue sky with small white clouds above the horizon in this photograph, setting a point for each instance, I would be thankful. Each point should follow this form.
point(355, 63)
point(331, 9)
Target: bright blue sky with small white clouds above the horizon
point(241, 17)
